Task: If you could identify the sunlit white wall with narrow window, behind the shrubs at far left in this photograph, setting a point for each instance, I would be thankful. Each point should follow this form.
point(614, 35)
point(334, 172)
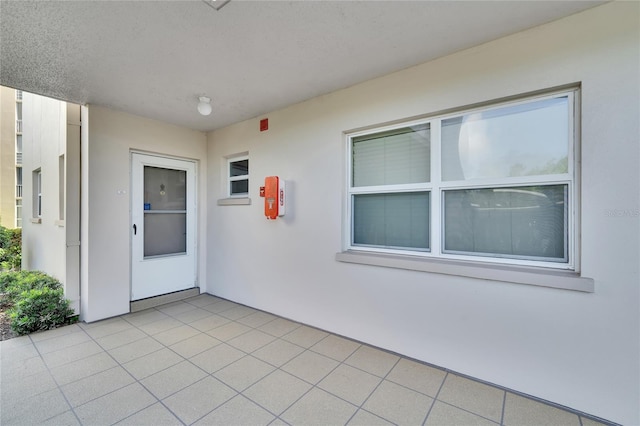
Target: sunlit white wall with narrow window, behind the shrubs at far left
point(44, 140)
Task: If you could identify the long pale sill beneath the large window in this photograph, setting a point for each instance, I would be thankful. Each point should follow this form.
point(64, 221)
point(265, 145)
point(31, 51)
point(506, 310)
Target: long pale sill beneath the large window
point(566, 280)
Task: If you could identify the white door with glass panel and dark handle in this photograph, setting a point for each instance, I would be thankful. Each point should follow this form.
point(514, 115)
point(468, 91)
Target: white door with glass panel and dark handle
point(163, 215)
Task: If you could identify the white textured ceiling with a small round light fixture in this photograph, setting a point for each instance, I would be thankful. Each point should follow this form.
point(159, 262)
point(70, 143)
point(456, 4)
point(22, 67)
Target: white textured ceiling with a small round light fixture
point(154, 58)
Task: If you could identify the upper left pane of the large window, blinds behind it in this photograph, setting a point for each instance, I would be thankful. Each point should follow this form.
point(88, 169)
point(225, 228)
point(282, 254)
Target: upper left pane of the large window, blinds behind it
point(395, 157)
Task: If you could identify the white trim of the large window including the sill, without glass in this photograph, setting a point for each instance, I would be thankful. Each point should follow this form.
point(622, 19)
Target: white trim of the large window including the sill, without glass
point(563, 275)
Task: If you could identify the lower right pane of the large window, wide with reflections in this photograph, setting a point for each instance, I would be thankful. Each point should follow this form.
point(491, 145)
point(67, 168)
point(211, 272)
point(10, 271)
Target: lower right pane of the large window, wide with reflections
point(519, 222)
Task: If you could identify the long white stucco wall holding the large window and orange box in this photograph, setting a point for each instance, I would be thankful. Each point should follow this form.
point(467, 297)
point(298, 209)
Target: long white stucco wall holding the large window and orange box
point(577, 349)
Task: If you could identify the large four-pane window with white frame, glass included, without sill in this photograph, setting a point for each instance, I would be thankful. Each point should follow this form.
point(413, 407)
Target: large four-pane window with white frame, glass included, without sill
point(490, 184)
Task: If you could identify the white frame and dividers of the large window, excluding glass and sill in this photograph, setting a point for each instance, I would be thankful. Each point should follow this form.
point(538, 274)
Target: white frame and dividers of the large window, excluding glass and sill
point(437, 187)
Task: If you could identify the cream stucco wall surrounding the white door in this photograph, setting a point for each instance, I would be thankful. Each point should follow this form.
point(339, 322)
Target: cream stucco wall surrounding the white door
point(111, 136)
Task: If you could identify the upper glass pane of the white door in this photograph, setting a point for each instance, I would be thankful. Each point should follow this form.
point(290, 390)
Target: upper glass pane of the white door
point(165, 189)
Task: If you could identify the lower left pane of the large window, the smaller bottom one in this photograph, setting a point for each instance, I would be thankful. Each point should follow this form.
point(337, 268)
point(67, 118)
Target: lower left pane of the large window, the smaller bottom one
point(398, 220)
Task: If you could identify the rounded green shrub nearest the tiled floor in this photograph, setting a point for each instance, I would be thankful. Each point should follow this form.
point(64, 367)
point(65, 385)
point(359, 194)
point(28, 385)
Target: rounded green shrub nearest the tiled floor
point(40, 309)
